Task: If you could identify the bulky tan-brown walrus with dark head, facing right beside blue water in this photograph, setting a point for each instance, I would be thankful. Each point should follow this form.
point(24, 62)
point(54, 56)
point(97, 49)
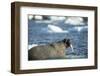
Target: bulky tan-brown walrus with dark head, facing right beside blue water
point(49, 51)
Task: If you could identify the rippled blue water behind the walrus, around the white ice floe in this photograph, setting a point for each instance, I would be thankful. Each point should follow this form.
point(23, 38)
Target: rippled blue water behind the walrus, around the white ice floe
point(38, 34)
